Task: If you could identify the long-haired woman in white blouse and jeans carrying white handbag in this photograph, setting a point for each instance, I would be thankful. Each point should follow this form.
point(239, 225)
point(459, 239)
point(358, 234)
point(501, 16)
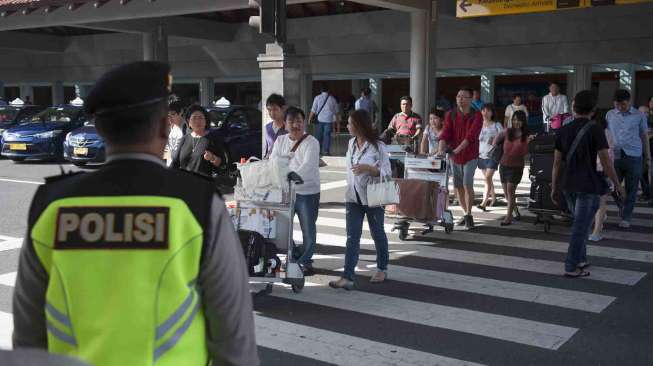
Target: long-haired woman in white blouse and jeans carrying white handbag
point(366, 158)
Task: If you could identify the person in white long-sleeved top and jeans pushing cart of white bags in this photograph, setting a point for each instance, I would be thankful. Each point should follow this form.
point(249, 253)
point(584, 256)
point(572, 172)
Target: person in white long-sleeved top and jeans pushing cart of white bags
point(304, 152)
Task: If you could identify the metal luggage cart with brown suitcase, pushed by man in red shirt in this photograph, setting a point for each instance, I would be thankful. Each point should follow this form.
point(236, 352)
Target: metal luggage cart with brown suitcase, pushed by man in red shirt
point(433, 169)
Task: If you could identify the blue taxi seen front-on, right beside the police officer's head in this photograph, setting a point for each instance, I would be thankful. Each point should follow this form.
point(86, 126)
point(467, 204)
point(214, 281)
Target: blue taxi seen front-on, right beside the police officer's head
point(84, 145)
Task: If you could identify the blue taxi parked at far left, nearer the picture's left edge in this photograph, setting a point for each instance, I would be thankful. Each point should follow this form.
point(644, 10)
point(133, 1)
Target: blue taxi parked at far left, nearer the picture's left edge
point(42, 136)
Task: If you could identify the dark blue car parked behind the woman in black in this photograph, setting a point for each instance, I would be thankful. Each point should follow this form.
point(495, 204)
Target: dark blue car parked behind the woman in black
point(240, 128)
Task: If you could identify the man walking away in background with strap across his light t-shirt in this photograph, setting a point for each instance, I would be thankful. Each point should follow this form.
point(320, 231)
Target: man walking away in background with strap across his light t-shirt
point(325, 108)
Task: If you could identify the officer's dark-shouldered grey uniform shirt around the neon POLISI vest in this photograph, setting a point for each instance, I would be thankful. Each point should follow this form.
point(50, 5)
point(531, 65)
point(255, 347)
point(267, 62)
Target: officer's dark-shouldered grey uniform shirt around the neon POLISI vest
point(222, 278)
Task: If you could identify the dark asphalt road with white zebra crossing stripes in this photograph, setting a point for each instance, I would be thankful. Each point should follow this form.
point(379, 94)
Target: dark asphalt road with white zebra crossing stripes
point(492, 295)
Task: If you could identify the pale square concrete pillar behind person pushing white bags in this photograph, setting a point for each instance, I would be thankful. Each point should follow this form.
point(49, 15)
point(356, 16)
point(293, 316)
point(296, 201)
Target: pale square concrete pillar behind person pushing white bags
point(281, 73)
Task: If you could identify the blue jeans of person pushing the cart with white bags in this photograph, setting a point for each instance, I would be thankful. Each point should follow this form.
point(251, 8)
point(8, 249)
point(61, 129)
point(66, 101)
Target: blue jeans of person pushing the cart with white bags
point(306, 208)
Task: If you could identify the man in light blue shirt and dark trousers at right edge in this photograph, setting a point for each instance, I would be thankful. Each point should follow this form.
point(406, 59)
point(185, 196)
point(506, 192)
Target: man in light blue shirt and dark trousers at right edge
point(629, 131)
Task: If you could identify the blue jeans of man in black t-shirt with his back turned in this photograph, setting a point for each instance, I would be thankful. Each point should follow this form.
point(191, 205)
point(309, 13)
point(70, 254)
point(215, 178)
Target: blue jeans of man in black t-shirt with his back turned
point(583, 206)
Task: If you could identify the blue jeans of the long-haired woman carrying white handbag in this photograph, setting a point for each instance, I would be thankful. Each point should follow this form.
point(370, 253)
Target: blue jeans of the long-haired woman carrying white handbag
point(355, 214)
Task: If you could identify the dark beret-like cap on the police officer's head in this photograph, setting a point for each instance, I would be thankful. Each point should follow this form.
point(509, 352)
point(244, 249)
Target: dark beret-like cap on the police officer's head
point(129, 86)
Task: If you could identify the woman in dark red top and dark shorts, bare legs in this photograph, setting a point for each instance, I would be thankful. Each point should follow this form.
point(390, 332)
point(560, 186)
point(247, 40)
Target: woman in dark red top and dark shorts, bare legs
point(515, 147)
